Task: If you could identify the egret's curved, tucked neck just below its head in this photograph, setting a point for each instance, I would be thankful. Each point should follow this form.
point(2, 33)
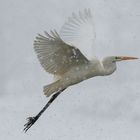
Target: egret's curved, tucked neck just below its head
point(109, 67)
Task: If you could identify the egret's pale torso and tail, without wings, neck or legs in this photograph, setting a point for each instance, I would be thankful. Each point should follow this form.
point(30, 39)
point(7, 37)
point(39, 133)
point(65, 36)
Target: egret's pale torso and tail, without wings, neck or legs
point(76, 75)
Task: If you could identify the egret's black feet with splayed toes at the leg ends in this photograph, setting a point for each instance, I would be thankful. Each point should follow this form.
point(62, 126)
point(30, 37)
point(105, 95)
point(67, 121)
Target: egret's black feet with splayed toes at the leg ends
point(30, 122)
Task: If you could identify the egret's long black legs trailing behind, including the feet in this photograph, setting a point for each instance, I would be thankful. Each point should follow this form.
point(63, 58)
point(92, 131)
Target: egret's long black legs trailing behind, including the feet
point(32, 120)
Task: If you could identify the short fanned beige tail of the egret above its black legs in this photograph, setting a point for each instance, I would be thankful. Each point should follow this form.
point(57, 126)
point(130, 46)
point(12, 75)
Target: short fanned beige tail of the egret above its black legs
point(51, 88)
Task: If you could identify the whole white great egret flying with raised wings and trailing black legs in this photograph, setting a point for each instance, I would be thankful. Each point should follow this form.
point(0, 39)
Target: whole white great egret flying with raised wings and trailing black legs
point(66, 62)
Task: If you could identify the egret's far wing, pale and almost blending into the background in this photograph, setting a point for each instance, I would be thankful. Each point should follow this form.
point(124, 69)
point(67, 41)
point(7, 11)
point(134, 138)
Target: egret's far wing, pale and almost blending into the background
point(79, 31)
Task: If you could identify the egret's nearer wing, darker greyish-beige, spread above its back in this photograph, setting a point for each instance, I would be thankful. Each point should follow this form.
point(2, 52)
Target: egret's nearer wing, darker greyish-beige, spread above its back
point(55, 55)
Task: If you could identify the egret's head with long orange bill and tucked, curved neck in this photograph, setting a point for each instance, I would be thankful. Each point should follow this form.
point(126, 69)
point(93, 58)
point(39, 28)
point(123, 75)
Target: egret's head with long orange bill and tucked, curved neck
point(109, 63)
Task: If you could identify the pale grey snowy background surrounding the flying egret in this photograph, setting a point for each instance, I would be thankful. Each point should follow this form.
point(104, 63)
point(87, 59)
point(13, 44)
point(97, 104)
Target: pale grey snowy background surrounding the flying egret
point(102, 108)
